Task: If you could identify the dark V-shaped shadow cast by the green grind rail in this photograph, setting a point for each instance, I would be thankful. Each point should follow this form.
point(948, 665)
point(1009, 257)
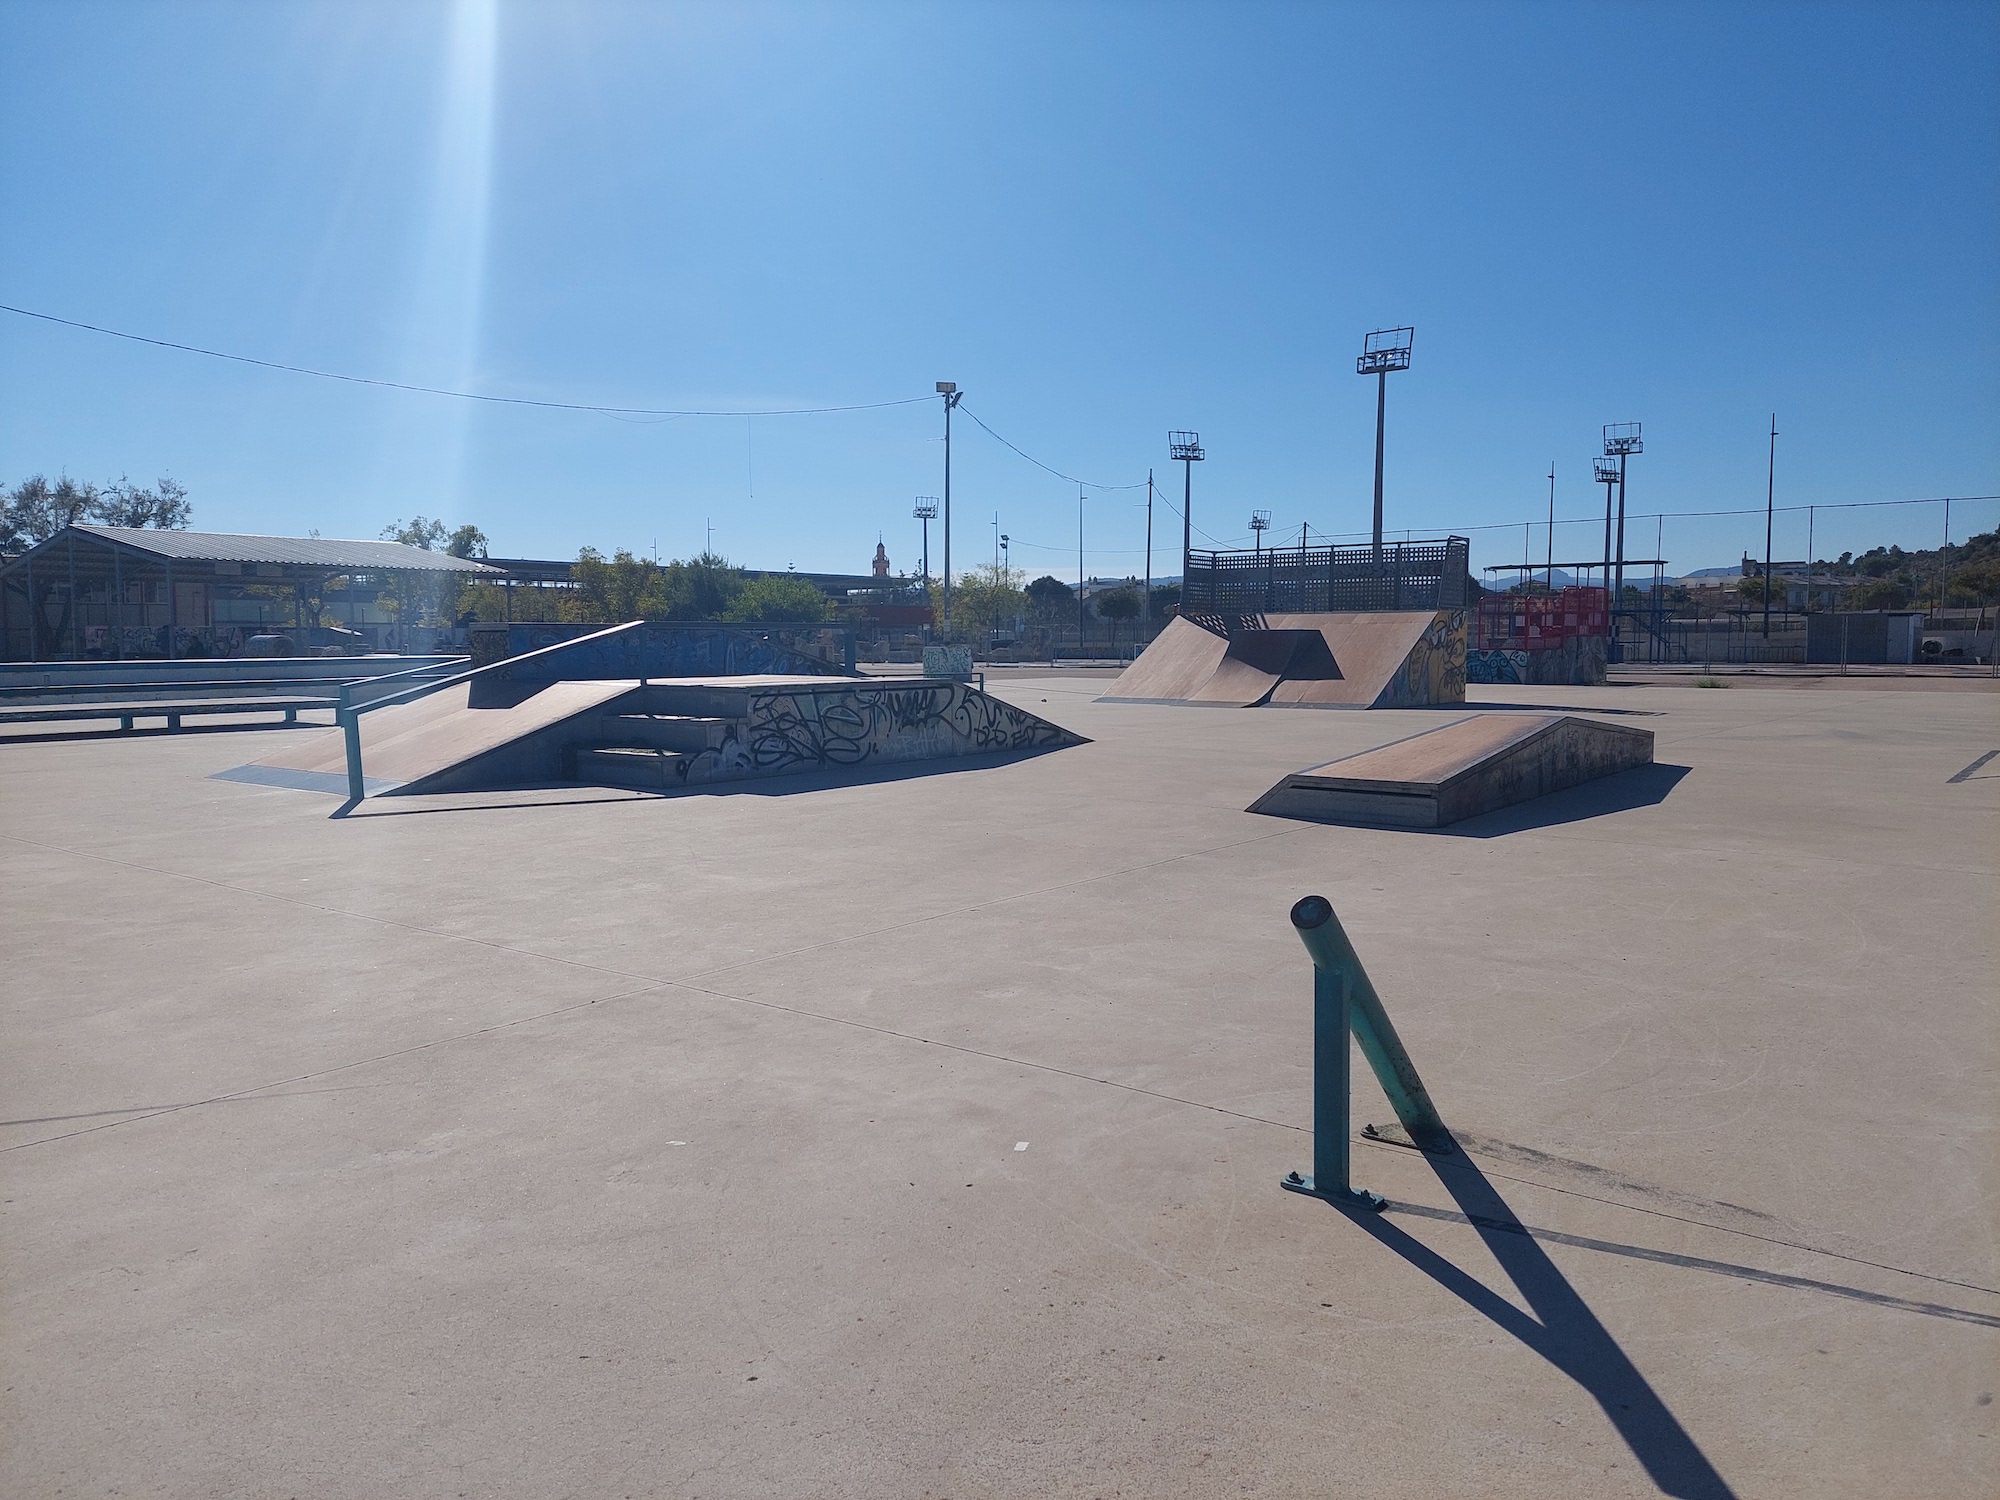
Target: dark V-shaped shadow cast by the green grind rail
point(1563, 1329)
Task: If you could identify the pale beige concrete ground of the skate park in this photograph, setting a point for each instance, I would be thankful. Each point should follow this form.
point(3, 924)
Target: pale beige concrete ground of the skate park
point(923, 1137)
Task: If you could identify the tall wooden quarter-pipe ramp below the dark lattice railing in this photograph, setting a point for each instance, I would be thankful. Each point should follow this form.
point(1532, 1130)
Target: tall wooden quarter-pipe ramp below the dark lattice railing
point(1391, 659)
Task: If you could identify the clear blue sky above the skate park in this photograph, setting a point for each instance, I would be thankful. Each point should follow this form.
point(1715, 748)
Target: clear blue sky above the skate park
point(1105, 221)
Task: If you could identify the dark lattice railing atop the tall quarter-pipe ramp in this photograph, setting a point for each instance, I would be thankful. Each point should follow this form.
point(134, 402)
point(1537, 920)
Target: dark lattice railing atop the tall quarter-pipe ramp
point(1323, 579)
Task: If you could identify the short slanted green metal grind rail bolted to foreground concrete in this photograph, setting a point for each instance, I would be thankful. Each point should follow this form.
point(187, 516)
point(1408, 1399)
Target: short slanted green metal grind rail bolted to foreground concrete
point(1345, 1003)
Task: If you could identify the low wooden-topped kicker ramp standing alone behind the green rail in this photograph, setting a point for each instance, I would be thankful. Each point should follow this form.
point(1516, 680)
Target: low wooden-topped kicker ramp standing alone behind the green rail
point(1459, 771)
